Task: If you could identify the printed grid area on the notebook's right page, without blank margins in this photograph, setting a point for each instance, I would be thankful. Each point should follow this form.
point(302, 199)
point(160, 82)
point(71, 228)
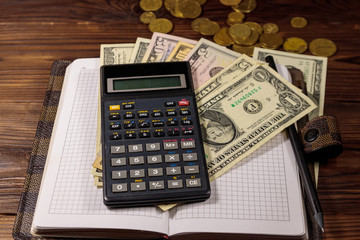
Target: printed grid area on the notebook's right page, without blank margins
point(255, 190)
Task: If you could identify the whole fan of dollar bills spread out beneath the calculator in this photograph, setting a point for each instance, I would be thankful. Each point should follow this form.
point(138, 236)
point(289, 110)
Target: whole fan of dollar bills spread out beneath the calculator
point(242, 102)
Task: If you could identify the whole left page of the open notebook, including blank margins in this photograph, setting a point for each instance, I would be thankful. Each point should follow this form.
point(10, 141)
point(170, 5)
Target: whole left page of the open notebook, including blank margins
point(68, 197)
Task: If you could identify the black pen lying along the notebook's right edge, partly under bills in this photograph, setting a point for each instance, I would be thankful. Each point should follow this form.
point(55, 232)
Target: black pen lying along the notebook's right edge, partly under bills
point(305, 176)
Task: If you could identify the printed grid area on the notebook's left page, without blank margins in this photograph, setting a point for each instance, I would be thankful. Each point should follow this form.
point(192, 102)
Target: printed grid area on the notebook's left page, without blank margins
point(75, 192)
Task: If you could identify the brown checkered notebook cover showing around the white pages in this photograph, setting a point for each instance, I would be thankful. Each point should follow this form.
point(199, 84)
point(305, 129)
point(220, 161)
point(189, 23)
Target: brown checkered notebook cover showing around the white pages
point(25, 213)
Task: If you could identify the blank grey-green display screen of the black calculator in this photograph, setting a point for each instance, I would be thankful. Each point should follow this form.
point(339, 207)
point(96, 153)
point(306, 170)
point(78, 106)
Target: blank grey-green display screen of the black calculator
point(157, 82)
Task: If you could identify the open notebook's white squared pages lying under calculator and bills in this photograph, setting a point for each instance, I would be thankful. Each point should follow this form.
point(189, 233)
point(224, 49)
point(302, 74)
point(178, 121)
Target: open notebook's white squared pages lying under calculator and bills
point(258, 198)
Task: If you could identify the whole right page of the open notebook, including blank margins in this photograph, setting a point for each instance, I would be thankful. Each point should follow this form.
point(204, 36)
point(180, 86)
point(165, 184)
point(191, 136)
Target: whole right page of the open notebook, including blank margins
point(260, 195)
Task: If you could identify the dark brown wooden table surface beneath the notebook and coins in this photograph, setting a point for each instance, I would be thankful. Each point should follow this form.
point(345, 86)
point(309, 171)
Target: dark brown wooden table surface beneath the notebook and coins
point(34, 33)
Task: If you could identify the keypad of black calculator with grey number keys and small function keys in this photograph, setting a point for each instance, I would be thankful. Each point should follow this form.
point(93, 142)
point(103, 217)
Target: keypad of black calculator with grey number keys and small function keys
point(153, 147)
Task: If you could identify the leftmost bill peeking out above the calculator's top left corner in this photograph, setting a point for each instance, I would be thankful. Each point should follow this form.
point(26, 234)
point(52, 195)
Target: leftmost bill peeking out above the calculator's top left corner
point(111, 54)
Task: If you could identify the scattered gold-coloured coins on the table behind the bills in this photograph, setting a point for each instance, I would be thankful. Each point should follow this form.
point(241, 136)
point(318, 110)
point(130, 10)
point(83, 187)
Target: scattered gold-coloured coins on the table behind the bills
point(238, 34)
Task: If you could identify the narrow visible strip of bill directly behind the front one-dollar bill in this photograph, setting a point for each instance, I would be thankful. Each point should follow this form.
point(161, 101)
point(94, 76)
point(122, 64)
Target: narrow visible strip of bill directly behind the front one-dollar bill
point(225, 76)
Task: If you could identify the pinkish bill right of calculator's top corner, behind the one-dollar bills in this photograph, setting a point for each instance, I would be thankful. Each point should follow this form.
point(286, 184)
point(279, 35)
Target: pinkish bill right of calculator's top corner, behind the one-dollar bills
point(207, 59)
